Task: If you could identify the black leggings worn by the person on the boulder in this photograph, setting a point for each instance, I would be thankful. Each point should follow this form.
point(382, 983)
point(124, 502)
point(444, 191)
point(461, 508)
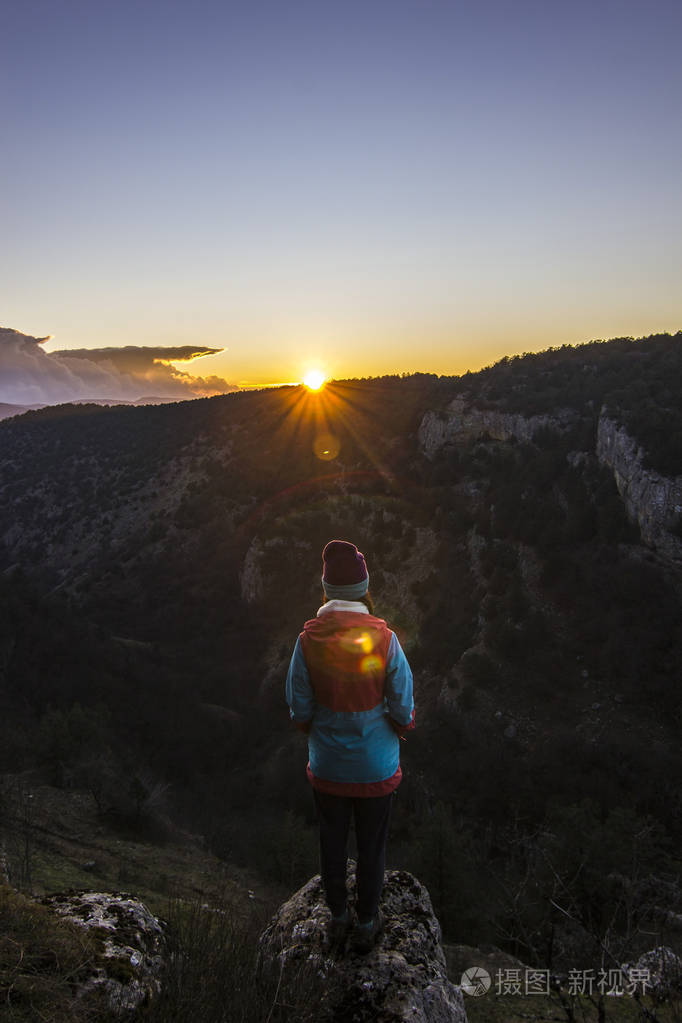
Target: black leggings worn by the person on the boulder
point(372, 829)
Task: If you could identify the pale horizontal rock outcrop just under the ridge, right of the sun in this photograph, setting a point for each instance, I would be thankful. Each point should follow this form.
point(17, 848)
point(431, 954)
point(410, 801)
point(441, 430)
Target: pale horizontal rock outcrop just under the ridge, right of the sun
point(462, 422)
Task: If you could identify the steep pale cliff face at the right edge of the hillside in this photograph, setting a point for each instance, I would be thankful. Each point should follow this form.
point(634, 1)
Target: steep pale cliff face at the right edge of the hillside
point(654, 502)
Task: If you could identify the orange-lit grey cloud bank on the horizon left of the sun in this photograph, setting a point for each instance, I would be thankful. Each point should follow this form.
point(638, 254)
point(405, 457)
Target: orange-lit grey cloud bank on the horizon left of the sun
point(29, 375)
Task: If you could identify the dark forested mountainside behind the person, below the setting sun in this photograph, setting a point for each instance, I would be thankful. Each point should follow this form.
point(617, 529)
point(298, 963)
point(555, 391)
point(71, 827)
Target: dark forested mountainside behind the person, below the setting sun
point(522, 527)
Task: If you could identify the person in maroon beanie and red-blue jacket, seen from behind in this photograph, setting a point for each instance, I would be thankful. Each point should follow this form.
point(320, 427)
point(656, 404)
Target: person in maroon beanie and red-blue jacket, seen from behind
point(349, 688)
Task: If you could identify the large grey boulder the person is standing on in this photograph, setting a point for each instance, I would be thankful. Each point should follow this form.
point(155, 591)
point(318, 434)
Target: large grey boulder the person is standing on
point(403, 978)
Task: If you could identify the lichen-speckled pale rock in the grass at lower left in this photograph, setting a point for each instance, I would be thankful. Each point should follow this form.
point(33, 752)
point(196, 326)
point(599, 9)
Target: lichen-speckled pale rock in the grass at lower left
point(132, 943)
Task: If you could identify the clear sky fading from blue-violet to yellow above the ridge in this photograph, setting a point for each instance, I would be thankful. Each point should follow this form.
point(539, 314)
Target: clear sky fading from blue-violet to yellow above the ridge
point(369, 186)
